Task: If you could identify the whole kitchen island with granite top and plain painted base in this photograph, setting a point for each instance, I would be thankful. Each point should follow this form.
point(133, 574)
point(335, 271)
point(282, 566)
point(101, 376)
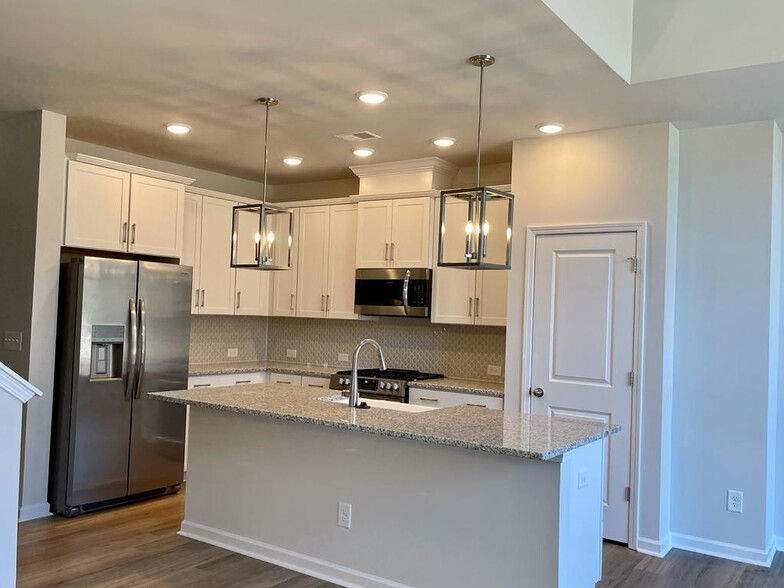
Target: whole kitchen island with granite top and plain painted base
point(450, 497)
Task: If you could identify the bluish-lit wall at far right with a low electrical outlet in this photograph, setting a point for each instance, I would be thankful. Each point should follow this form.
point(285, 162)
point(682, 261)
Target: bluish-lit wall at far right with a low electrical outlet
point(726, 337)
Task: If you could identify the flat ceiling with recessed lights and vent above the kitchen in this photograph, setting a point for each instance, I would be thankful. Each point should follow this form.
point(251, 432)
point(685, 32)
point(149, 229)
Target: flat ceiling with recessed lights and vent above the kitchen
point(122, 69)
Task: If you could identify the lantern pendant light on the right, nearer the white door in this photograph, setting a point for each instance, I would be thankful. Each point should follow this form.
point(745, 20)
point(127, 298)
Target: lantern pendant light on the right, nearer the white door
point(476, 223)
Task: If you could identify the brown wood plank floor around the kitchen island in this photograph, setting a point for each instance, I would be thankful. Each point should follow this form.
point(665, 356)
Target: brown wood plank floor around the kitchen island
point(137, 546)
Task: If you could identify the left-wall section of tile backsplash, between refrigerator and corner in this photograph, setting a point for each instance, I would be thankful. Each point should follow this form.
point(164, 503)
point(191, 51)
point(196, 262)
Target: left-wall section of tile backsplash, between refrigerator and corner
point(212, 336)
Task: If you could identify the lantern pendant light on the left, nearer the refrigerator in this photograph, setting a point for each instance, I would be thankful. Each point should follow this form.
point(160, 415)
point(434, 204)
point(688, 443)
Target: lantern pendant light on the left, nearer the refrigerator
point(262, 234)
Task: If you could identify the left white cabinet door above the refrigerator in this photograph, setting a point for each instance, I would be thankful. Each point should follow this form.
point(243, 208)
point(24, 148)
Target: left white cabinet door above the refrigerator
point(96, 211)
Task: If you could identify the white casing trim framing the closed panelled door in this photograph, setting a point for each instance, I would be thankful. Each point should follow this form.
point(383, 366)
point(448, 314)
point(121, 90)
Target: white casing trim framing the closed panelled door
point(640, 229)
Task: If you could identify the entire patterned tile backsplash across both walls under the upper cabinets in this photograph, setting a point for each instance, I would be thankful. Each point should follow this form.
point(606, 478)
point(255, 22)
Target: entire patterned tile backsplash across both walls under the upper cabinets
point(455, 350)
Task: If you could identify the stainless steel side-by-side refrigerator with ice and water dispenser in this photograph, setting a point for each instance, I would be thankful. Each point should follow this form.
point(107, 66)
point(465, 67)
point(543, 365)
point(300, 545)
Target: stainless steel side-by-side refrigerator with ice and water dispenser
point(123, 331)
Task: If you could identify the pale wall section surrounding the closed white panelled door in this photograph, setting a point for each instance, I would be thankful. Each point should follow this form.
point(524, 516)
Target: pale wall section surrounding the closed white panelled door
point(613, 175)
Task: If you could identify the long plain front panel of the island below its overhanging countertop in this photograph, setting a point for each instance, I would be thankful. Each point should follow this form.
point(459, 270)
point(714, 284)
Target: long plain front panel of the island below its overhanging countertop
point(422, 514)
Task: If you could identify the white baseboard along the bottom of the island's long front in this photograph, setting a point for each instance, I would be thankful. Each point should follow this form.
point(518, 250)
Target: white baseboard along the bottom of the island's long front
point(318, 568)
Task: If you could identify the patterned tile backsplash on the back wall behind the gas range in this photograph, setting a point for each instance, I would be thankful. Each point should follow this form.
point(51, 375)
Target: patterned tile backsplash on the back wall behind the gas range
point(456, 350)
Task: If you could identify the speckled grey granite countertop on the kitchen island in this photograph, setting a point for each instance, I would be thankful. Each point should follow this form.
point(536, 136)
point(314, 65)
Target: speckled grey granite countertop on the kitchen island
point(525, 436)
